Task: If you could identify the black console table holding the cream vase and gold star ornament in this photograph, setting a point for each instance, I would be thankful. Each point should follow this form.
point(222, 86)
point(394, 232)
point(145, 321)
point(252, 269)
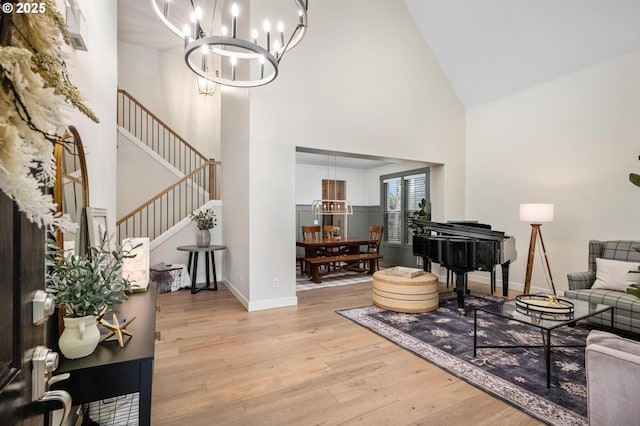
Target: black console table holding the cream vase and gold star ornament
point(113, 371)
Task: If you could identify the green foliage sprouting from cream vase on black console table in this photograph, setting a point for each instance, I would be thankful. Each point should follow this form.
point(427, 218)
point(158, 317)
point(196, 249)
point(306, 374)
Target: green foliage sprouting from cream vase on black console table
point(86, 284)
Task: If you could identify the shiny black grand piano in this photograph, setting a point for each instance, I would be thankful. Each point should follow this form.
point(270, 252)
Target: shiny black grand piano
point(463, 247)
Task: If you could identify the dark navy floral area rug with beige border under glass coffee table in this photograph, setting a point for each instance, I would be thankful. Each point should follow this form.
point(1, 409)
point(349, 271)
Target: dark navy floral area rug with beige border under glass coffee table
point(517, 376)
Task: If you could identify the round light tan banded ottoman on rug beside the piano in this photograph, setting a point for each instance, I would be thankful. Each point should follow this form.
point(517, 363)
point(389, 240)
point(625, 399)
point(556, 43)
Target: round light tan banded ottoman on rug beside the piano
point(403, 294)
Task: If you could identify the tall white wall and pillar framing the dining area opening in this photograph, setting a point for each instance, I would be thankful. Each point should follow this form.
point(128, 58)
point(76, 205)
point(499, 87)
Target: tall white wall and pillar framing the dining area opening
point(351, 86)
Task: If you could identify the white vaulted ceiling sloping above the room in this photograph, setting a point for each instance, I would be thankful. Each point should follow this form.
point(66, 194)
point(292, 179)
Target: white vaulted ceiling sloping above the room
point(487, 48)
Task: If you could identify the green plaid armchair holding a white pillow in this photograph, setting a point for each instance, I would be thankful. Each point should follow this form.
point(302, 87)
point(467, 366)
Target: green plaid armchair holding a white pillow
point(626, 306)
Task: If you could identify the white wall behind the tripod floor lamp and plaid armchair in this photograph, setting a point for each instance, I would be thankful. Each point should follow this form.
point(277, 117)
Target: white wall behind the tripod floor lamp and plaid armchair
point(571, 142)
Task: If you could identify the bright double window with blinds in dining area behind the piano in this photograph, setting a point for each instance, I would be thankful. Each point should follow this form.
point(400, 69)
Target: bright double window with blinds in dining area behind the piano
point(402, 194)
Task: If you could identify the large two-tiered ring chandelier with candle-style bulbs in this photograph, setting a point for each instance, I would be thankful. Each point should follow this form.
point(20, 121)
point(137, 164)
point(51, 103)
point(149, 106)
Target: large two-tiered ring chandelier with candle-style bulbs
point(219, 48)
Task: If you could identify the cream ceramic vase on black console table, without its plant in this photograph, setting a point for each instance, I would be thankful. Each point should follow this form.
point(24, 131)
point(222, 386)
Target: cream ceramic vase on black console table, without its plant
point(80, 337)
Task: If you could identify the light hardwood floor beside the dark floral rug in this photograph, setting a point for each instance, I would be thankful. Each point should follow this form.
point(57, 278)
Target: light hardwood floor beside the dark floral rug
point(216, 364)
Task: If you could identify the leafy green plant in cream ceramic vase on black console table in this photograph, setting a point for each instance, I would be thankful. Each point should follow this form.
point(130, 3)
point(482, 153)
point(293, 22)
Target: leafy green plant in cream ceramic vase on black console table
point(84, 286)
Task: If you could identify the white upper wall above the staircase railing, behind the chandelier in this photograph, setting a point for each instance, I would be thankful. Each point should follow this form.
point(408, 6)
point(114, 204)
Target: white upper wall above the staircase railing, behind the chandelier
point(164, 84)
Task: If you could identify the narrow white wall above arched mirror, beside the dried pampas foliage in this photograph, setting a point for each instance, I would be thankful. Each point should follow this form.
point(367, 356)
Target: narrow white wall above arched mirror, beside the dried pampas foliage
point(94, 72)
